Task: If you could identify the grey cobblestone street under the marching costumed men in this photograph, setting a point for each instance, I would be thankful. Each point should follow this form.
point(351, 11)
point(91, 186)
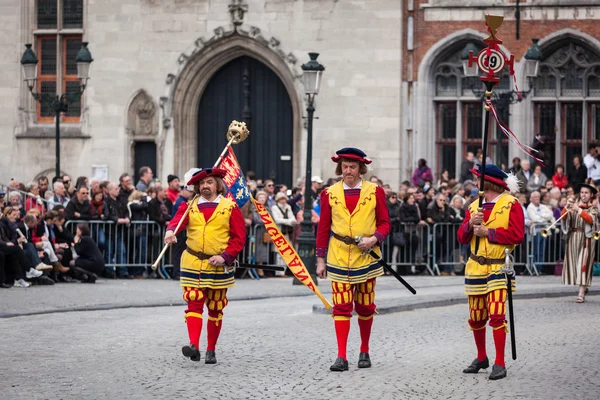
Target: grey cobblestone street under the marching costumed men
point(278, 349)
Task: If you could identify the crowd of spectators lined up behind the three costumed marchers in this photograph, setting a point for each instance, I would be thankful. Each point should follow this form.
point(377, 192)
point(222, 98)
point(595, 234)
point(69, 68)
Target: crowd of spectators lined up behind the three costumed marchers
point(37, 247)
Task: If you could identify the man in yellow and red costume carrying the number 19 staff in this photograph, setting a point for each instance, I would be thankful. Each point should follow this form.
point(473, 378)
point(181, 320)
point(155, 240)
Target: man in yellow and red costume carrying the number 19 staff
point(500, 226)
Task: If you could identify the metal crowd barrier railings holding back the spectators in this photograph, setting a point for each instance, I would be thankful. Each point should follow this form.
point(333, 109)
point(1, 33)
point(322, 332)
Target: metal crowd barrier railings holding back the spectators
point(426, 248)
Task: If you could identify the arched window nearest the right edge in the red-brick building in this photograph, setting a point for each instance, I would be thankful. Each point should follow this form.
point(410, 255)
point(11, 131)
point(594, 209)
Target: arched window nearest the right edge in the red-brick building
point(567, 100)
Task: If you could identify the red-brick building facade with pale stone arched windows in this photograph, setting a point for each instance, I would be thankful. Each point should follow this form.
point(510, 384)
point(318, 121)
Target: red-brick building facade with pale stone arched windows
point(443, 116)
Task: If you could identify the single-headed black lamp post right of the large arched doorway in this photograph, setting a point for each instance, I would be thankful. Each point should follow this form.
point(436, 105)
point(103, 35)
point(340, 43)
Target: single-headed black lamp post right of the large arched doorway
point(312, 73)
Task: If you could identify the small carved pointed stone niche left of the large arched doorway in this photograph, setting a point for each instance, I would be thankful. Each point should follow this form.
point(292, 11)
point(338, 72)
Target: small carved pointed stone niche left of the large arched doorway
point(142, 126)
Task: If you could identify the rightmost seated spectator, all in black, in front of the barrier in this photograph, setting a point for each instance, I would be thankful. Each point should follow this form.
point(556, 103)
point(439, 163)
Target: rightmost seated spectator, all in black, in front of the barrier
point(89, 260)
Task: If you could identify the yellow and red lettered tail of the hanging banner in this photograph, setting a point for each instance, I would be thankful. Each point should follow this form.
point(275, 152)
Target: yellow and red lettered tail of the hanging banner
point(288, 253)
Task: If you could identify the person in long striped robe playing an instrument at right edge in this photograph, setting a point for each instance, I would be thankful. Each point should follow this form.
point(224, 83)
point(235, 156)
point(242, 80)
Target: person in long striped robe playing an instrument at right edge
point(580, 252)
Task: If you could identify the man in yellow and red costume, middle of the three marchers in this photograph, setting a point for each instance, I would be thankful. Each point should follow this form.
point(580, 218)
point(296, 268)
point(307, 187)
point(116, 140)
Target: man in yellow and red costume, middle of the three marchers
point(351, 208)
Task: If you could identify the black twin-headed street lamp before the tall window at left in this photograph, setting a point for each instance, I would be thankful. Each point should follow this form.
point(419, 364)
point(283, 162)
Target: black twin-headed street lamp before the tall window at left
point(57, 103)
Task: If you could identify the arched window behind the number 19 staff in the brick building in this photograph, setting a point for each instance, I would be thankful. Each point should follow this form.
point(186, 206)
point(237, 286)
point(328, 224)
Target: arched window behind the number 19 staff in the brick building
point(460, 113)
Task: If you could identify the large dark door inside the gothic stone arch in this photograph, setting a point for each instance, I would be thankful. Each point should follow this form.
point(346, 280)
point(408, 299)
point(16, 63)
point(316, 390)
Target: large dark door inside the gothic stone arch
point(245, 89)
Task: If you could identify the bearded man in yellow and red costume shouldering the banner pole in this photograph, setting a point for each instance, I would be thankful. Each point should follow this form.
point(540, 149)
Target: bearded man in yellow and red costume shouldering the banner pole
point(216, 234)
